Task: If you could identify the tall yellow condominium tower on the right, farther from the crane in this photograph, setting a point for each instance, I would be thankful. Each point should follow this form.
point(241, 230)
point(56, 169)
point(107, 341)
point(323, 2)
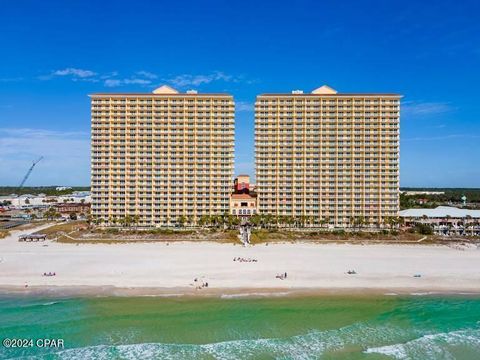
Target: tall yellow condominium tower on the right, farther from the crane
point(328, 157)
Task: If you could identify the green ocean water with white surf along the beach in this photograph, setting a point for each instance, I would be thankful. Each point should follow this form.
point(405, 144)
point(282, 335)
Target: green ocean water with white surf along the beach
point(327, 327)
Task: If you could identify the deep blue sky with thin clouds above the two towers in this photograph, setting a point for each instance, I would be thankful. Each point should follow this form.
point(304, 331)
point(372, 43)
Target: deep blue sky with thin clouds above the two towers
point(54, 53)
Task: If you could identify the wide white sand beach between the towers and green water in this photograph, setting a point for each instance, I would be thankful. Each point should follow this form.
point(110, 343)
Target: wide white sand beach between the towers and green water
point(388, 268)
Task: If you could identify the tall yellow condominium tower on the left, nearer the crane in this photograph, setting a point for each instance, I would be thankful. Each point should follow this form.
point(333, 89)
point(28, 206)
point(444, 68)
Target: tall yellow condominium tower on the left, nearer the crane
point(160, 158)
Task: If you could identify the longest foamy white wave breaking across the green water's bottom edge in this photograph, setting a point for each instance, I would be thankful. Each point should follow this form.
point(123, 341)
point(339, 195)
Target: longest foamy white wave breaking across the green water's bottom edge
point(301, 347)
